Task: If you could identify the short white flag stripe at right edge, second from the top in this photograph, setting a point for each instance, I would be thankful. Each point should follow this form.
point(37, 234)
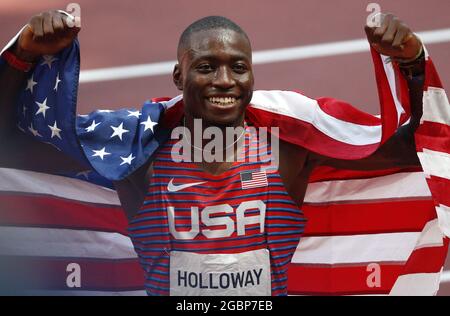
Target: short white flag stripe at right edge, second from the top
point(435, 163)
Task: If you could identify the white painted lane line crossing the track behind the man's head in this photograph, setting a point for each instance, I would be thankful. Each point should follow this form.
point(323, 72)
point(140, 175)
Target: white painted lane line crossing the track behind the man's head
point(259, 57)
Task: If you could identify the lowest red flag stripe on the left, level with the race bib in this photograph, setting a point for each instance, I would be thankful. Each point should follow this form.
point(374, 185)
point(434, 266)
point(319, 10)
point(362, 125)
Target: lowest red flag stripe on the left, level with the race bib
point(51, 273)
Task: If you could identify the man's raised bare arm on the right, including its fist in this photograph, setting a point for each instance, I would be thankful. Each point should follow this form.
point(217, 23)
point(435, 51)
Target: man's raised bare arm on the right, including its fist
point(395, 39)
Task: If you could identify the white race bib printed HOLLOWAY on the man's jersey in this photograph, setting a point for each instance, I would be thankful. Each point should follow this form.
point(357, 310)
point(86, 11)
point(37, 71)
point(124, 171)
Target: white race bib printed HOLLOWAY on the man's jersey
point(241, 274)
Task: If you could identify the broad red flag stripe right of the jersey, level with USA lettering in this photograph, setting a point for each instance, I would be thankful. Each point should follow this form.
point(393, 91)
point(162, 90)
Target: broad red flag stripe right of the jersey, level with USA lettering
point(368, 218)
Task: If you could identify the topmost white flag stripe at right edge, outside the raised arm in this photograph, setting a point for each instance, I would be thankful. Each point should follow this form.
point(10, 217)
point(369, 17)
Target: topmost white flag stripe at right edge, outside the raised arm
point(436, 107)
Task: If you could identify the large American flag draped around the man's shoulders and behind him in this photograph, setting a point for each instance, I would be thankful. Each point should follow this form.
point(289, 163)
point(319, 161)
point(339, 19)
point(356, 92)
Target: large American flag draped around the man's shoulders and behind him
point(402, 228)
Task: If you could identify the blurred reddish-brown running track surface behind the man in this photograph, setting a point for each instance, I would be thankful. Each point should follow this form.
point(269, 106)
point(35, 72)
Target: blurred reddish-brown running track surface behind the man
point(123, 33)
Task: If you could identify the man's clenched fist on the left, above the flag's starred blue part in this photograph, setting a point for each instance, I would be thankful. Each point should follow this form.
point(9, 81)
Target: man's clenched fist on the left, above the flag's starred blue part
point(46, 34)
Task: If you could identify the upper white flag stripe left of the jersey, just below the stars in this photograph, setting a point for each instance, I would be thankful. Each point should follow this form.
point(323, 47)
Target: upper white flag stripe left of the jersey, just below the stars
point(14, 180)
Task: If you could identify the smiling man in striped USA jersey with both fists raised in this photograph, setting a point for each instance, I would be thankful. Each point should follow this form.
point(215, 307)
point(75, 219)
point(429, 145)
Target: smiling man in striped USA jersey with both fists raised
point(237, 254)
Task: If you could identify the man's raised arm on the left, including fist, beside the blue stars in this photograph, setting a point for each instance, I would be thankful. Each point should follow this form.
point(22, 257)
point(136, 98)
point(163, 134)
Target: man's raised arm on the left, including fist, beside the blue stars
point(45, 34)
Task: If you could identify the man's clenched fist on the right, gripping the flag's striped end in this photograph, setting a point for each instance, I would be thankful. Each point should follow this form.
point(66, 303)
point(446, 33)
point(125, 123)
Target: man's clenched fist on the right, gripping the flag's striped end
point(393, 38)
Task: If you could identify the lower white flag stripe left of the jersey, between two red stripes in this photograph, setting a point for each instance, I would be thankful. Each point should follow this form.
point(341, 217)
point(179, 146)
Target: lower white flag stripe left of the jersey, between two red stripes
point(50, 242)
